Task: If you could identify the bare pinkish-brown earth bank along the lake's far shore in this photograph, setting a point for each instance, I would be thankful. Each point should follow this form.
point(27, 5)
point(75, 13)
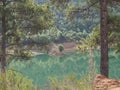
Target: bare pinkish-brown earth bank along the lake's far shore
point(53, 49)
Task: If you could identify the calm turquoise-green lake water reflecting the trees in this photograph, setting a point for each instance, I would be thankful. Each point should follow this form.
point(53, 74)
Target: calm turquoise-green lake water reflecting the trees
point(40, 68)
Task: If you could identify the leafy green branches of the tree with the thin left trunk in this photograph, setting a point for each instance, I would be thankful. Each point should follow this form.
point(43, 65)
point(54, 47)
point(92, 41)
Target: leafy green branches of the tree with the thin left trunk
point(25, 18)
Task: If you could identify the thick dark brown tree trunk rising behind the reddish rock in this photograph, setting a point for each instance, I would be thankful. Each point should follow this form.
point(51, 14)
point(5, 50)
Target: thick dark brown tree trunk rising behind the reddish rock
point(104, 69)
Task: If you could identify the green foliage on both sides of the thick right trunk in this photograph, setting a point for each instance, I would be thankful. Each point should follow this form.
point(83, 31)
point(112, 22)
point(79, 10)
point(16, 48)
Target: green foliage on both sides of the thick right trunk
point(93, 40)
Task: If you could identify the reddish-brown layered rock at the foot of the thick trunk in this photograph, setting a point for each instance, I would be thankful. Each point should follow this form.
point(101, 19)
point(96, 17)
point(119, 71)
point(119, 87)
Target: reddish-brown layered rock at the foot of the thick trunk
point(103, 83)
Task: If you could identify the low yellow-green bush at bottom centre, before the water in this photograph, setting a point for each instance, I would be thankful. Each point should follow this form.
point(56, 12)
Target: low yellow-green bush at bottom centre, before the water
point(70, 82)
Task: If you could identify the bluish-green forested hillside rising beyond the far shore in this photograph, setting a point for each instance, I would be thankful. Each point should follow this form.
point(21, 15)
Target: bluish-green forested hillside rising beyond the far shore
point(81, 25)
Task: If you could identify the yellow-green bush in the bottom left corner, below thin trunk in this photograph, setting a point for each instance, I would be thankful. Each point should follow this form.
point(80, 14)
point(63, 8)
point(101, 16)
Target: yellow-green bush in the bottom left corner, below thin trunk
point(15, 81)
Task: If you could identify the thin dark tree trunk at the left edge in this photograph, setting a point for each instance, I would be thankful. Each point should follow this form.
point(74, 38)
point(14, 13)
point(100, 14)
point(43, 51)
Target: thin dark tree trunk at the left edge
point(3, 47)
